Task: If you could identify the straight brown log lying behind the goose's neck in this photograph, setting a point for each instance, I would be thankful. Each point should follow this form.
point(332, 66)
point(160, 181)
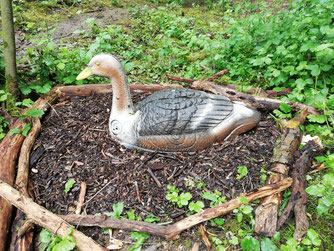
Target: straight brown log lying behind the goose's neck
point(98, 89)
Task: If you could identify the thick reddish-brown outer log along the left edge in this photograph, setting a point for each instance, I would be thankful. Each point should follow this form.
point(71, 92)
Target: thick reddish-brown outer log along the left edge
point(9, 149)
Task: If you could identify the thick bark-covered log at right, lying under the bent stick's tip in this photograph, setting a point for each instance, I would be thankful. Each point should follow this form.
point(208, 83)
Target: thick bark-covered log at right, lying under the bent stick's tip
point(285, 146)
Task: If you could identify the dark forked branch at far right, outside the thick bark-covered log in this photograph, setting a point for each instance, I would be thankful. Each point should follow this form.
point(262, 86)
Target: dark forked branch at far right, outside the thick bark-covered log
point(297, 201)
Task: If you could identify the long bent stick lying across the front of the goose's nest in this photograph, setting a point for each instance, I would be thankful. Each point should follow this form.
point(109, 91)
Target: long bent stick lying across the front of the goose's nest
point(173, 230)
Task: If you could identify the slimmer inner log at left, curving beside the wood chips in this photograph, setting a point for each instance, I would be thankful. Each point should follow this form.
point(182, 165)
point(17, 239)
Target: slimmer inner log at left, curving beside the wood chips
point(23, 241)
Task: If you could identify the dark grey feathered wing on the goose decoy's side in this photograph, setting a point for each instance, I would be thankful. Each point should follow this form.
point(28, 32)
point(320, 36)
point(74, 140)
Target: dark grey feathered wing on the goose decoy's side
point(181, 111)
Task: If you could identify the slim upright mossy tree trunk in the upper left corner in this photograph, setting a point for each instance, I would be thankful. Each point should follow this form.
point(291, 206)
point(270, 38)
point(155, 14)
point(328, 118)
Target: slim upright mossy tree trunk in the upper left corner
point(9, 51)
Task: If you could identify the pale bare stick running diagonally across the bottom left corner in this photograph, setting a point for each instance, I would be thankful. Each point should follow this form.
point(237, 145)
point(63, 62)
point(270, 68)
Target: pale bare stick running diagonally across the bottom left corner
point(45, 218)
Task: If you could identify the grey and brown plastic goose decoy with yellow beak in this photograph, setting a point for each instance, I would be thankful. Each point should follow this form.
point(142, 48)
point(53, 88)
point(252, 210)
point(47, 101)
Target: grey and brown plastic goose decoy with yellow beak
point(171, 120)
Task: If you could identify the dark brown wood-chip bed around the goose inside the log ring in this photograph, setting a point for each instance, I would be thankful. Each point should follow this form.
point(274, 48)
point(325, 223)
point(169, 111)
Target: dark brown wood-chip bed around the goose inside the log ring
point(75, 143)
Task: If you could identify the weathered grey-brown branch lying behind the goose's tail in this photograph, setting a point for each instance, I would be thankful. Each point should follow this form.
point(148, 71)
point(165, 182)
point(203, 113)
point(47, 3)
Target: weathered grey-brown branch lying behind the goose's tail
point(260, 103)
